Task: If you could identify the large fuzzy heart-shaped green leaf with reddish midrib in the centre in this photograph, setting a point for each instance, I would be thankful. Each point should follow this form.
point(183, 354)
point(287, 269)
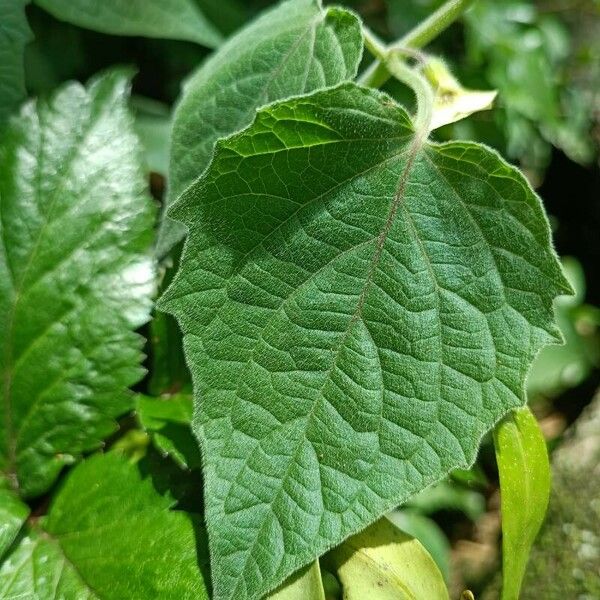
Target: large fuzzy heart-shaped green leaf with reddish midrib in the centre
point(358, 311)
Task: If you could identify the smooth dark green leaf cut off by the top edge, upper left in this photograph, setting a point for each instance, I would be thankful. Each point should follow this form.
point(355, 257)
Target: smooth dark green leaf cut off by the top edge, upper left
point(168, 19)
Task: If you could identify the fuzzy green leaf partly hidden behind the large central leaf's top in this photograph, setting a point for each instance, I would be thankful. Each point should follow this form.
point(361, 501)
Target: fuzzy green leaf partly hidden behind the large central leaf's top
point(294, 48)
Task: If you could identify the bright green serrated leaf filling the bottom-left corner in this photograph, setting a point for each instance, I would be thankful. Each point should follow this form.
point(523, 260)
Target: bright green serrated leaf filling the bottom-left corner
point(108, 536)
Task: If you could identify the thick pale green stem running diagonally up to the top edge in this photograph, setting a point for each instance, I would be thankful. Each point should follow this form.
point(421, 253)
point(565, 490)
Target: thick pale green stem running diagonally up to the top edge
point(378, 73)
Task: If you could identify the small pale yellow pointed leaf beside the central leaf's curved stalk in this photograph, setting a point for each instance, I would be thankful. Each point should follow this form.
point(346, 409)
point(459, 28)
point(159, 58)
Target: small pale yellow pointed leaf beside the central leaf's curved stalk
point(452, 101)
